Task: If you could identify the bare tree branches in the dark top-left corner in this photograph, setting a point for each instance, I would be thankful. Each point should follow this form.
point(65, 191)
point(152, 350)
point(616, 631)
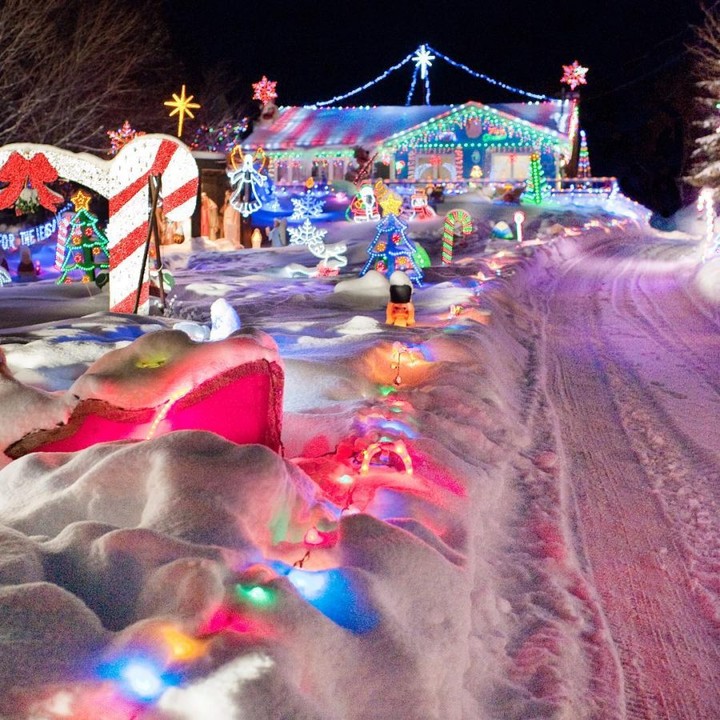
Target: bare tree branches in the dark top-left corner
point(70, 69)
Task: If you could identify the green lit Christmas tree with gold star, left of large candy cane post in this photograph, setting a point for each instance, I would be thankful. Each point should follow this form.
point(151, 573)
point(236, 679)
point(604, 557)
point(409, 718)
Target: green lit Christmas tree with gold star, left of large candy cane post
point(86, 251)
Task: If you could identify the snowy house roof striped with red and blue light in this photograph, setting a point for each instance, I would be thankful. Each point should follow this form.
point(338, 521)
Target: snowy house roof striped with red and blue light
point(308, 127)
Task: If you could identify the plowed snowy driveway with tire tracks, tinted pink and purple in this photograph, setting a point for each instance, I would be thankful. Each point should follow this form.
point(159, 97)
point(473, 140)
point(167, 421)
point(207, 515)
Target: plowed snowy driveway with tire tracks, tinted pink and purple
point(629, 375)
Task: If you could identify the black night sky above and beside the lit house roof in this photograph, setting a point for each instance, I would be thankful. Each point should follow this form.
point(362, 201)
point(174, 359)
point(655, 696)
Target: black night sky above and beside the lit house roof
point(636, 108)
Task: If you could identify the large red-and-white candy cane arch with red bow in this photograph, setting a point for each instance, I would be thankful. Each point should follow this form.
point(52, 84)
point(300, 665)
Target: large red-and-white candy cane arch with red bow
point(124, 182)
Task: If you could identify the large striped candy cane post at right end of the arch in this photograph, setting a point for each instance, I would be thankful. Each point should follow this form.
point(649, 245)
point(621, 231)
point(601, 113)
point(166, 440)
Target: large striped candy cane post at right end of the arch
point(129, 203)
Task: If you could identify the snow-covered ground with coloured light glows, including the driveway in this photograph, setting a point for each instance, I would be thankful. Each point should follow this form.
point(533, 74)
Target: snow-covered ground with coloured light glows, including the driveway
point(554, 553)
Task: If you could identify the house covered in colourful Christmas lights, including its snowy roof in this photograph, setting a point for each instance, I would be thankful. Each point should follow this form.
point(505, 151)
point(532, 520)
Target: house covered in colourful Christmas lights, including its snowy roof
point(421, 143)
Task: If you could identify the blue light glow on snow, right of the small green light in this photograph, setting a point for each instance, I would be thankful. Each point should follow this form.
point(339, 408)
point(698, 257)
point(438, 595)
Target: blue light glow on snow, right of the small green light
point(334, 593)
